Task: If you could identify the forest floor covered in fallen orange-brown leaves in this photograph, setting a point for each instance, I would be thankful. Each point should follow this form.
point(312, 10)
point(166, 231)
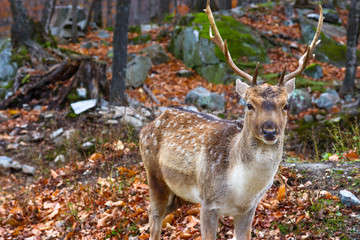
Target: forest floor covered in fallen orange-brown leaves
point(104, 195)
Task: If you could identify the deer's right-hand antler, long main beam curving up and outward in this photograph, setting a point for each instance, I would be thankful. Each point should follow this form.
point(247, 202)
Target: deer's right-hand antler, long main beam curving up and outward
point(309, 51)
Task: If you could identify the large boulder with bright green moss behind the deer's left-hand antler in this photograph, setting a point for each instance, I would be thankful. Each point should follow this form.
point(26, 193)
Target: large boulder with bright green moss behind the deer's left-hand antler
point(190, 42)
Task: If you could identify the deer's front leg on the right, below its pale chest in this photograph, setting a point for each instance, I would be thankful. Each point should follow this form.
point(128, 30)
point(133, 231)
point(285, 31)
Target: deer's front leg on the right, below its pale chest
point(243, 224)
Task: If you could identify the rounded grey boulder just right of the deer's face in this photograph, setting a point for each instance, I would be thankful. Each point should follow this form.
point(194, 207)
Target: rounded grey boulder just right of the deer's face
point(299, 101)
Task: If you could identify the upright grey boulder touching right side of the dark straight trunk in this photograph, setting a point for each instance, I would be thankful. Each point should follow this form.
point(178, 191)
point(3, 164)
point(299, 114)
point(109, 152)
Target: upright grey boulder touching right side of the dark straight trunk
point(137, 71)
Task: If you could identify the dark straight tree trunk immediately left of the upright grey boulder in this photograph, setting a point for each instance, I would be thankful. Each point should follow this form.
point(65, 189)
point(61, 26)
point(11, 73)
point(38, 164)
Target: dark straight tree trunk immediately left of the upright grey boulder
point(117, 90)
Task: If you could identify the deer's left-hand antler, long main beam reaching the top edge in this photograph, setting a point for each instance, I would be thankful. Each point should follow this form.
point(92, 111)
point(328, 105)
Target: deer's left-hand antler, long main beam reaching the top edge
point(216, 38)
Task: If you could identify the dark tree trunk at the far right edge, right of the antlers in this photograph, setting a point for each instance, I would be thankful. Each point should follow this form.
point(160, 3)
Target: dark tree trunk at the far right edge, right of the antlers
point(352, 40)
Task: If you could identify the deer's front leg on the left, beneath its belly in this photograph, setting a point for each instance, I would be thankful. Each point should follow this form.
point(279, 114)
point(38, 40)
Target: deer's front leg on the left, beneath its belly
point(209, 219)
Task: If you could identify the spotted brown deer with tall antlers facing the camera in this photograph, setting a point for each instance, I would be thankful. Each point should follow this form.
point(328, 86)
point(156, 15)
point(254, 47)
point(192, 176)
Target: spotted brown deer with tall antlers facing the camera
point(226, 166)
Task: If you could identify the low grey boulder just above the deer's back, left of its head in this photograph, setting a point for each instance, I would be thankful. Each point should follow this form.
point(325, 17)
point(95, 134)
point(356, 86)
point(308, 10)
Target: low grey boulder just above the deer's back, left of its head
point(202, 98)
